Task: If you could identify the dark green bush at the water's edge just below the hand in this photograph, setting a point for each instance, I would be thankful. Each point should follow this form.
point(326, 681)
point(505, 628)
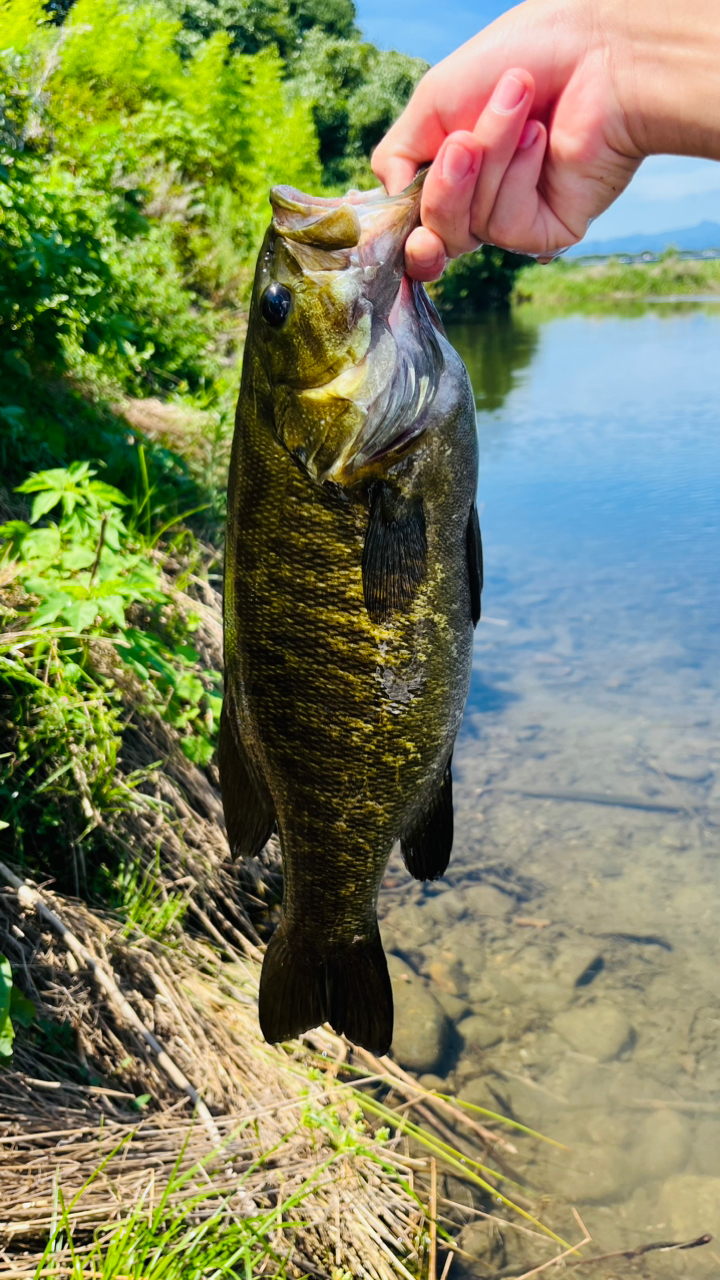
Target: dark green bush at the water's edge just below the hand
point(477, 282)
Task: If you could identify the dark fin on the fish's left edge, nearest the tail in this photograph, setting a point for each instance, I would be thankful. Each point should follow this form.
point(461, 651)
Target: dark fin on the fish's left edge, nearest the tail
point(249, 810)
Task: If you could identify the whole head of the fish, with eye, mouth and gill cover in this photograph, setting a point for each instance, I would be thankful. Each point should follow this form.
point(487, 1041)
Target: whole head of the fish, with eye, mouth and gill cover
point(349, 344)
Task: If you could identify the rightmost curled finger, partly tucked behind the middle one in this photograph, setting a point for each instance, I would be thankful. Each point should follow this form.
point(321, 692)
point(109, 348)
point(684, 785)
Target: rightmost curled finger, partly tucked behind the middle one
point(521, 220)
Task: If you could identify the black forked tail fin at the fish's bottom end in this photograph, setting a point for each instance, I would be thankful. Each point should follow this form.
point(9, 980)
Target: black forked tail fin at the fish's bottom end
point(347, 986)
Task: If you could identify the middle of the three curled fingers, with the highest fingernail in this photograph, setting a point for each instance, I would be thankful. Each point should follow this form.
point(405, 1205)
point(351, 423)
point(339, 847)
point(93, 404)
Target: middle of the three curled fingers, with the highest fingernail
point(499, 132)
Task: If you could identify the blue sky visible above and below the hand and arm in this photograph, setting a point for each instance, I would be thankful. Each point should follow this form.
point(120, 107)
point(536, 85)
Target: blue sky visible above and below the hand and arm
point(668, 193)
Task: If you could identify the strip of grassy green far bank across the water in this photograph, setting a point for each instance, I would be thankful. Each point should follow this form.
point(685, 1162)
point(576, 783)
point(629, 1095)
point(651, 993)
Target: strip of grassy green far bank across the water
point(567, 285)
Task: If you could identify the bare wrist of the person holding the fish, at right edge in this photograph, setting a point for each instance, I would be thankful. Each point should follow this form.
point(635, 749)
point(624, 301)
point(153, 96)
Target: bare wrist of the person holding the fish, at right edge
point(668, 75)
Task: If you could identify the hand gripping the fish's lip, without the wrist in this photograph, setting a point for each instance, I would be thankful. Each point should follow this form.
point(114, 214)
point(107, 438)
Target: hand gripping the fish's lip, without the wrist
point(532, 130)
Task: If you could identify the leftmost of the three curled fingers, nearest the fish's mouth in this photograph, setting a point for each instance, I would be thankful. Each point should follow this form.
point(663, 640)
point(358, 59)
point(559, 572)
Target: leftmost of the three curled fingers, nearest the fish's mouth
point(448, 194)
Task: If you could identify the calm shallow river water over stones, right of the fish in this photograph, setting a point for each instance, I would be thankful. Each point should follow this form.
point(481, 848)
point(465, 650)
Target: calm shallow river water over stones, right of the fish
point(580, 915)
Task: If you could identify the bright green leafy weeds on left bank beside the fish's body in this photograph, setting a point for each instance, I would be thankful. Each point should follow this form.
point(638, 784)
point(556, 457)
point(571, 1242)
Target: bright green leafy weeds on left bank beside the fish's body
point(93, 625)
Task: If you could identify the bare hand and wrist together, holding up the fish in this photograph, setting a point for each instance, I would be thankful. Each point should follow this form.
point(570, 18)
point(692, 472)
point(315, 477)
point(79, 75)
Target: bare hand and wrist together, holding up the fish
point(539, 124)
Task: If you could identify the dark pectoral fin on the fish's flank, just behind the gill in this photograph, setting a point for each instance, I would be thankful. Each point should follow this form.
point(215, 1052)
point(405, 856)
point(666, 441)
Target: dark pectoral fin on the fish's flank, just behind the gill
point(395, 554)
